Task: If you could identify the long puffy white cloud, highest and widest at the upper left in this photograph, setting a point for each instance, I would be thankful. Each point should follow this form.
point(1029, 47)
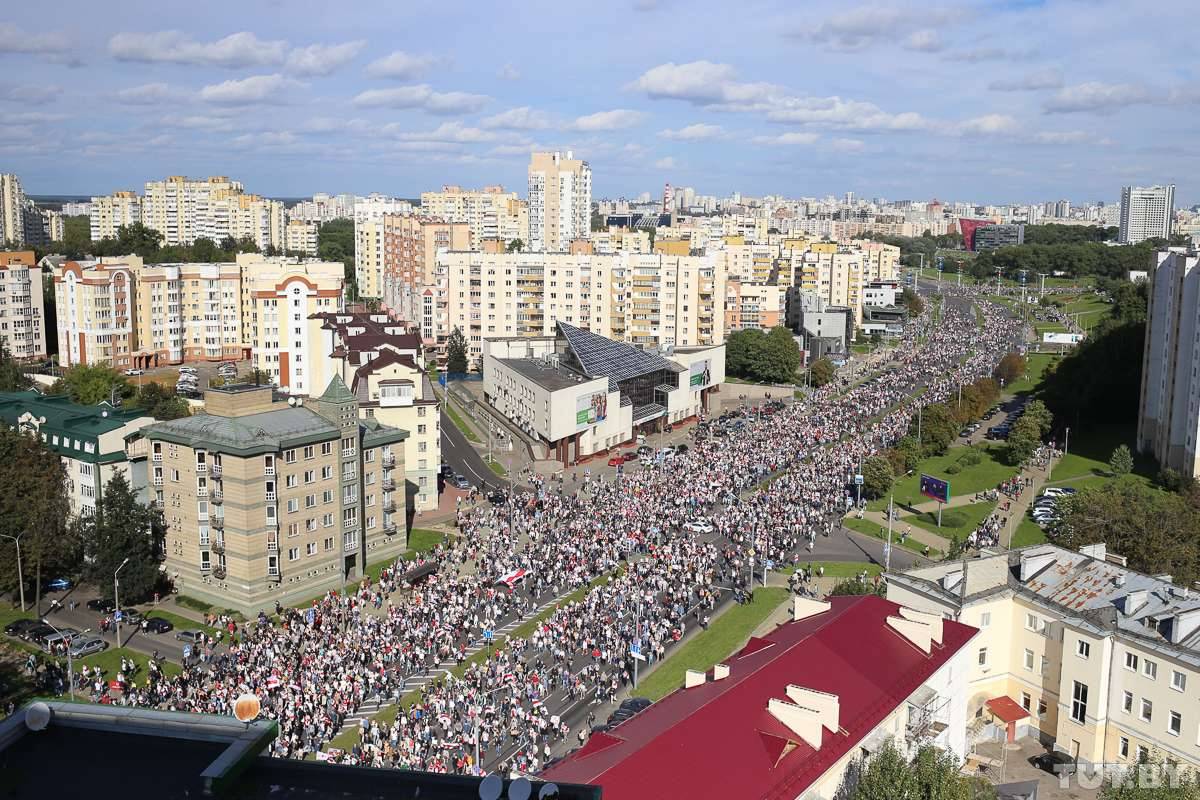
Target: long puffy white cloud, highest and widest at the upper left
point(242, 50)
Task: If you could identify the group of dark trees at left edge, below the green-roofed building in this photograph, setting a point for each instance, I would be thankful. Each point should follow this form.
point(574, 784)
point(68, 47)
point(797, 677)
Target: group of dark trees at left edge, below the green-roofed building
point(35, 509)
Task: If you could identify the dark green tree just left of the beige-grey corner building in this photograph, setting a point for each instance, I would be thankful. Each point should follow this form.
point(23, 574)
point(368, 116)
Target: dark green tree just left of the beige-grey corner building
point(122, 528)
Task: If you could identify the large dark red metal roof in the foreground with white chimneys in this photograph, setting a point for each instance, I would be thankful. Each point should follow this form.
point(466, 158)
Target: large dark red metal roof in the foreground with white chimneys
point(718, 741)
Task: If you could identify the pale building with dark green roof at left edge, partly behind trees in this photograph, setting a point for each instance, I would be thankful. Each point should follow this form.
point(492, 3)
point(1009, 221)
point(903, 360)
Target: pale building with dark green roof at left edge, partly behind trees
point(89, 440)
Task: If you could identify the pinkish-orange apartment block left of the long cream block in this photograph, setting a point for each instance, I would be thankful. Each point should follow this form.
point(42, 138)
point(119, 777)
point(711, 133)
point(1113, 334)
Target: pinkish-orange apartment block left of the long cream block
point(411, 245)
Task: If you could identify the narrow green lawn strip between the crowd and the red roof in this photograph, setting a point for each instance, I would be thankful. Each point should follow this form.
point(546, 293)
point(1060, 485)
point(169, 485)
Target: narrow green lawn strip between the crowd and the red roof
point(724, 636)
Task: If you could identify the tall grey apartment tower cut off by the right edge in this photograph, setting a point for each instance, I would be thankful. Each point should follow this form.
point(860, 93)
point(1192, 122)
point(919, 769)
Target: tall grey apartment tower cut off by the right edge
point(1169, 406)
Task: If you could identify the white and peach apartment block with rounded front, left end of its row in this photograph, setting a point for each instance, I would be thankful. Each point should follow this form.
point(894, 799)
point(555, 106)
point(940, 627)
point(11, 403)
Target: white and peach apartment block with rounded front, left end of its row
point(97, 310)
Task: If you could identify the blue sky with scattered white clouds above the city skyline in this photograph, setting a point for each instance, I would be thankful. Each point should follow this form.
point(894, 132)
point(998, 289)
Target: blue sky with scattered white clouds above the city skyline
point(988, 103)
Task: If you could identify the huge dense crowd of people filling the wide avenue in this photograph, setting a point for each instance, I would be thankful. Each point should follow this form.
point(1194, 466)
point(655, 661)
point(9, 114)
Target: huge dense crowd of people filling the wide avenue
point(613, 564)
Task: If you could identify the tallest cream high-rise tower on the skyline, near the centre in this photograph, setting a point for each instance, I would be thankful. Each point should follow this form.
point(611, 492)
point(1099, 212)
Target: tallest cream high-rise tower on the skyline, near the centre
point(560, 201)
